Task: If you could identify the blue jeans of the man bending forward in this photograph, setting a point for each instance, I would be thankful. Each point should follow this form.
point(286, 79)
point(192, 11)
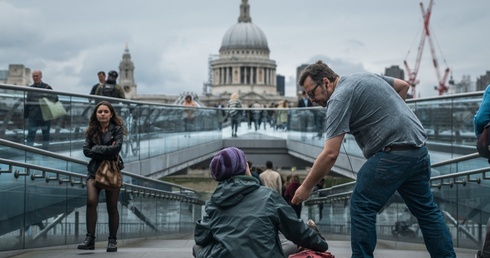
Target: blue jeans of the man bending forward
point(407, 172)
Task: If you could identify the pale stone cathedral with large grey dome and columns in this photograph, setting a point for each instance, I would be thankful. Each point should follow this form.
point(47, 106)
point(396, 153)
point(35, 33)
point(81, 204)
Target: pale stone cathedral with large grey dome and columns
point(244, 65)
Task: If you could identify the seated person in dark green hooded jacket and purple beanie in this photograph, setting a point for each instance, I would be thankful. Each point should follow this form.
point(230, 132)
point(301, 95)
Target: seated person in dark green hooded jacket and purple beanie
point(242, 219)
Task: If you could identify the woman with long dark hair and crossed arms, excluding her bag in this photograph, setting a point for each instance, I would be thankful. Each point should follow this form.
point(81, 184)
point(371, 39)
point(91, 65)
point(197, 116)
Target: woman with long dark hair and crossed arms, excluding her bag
point(104, 137)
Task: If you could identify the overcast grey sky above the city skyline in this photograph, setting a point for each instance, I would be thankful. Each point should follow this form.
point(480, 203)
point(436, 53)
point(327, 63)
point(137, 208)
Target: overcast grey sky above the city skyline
point(170, 41)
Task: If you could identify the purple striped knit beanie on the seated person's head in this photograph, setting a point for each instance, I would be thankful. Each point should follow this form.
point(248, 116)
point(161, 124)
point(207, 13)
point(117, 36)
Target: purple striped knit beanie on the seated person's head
point(227, 163)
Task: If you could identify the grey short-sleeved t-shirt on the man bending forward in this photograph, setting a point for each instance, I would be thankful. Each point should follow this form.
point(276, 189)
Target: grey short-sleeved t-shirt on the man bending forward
point(366, 106)
